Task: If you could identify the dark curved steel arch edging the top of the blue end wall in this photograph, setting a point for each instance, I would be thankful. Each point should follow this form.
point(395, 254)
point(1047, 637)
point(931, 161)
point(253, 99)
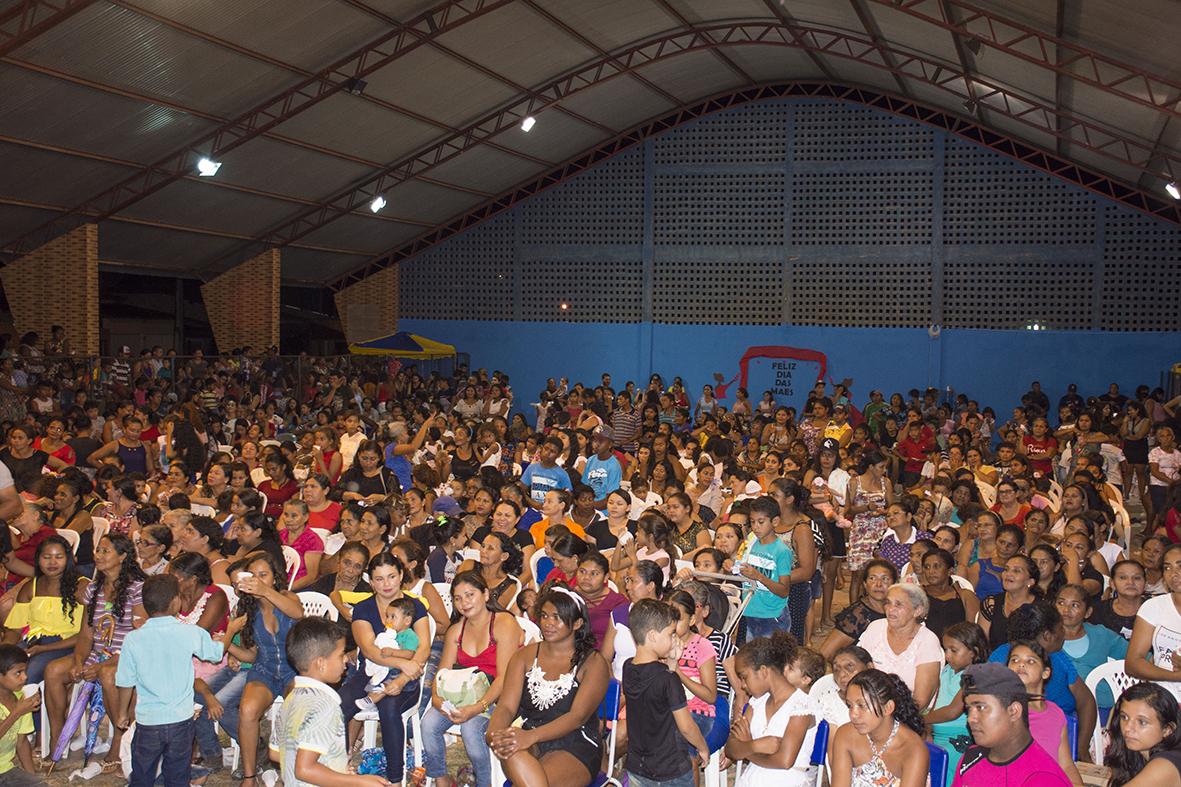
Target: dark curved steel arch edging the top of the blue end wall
point(970, 131)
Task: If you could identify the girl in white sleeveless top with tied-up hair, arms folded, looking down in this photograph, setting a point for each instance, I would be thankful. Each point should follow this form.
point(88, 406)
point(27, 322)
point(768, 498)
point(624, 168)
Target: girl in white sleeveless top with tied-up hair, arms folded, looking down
point(780, 718)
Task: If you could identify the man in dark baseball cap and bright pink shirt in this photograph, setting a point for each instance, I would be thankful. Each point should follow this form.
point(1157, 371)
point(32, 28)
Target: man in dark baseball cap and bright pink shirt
point(999, 717)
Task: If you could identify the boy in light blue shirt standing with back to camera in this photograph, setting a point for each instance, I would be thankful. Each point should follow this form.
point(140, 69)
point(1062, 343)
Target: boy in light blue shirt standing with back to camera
point(158, 662)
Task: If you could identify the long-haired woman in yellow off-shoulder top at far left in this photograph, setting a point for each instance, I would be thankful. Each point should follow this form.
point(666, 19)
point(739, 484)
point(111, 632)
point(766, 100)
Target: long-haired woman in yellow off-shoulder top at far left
point(47, 617)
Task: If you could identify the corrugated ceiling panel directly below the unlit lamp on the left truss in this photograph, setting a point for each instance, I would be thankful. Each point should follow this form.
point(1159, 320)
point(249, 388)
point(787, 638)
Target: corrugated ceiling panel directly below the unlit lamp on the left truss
point(349, 125)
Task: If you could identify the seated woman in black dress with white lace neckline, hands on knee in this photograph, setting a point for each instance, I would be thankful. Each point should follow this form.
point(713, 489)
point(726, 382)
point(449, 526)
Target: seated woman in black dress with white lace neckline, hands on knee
point(556, 684)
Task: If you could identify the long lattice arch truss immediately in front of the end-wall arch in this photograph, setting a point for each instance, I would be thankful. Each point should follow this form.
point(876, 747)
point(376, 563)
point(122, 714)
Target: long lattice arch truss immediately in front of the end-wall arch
point(1026, 110)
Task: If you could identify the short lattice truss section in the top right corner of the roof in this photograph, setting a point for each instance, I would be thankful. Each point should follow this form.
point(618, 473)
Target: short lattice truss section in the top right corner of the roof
point(1049, 51)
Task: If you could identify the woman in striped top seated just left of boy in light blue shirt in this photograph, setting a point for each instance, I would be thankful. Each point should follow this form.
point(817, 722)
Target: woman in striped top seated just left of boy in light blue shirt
point(114, 603)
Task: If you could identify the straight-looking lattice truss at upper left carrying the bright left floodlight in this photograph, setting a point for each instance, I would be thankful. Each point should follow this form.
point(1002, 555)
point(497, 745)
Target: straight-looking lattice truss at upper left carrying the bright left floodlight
point(266, 116)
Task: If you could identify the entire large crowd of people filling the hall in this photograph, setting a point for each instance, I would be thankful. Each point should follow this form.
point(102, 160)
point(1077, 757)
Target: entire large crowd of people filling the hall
point(181, 535)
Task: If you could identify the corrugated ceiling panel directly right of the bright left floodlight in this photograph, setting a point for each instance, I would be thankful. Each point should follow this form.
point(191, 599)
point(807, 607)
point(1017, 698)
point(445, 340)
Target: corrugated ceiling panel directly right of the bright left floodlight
point(283, 168)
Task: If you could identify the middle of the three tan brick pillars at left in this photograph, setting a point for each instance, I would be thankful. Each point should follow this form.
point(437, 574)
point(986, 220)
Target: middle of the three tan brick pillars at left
point(243, 304)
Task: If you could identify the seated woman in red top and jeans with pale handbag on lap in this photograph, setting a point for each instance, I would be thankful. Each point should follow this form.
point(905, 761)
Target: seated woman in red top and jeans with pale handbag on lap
point(488, 646)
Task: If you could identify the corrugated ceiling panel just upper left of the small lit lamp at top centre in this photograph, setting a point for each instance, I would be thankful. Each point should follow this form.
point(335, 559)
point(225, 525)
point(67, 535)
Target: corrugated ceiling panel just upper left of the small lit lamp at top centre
point(439, 87)
